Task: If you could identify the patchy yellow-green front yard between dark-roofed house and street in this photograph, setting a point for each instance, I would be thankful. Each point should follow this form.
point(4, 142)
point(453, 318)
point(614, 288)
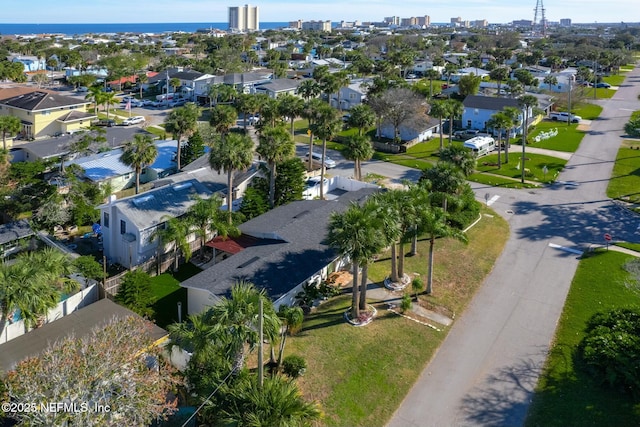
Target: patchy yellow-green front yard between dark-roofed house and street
point(361, 375)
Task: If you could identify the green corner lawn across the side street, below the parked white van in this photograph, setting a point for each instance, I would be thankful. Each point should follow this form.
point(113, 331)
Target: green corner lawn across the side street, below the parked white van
point(534, 162)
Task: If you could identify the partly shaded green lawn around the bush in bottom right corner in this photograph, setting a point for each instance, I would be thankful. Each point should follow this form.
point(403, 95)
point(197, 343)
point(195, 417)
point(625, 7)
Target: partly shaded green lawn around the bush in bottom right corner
point(566, 396)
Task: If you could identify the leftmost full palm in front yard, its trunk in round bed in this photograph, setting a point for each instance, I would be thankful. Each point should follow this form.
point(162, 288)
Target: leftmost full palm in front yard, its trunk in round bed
point(357, 234)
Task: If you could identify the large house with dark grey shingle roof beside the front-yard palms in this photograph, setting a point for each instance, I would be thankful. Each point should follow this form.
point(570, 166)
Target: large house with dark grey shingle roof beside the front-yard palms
point(278, 251)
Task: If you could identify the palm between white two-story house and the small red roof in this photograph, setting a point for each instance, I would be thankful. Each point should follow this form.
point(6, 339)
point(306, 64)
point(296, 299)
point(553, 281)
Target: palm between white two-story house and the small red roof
point(206, 216)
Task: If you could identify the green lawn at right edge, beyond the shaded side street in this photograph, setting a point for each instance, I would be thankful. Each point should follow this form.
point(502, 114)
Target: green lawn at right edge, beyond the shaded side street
point(625, 179)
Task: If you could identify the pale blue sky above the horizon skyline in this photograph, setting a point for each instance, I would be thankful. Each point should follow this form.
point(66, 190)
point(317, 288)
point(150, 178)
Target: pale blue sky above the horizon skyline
point(108, 11)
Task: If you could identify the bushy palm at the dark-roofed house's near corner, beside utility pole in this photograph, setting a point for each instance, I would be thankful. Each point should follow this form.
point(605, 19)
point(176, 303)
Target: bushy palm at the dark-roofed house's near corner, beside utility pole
point(236, 319)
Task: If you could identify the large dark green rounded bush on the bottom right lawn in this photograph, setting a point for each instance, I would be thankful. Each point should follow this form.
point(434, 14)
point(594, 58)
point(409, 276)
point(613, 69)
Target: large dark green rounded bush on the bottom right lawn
point(611, 349)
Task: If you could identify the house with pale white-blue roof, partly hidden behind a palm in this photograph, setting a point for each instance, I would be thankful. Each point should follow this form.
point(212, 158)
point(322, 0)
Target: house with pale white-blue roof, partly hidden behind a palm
point(107, 168)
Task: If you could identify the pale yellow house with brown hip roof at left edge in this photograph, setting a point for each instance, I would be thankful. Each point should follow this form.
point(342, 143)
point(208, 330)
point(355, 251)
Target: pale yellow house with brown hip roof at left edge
point(44, 113)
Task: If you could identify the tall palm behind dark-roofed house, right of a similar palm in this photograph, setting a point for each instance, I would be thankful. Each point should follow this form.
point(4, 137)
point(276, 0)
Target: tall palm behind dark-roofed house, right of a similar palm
point(276, 145)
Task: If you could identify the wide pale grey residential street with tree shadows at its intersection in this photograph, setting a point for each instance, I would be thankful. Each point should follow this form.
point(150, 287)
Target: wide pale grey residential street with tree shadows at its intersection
point(487, 368)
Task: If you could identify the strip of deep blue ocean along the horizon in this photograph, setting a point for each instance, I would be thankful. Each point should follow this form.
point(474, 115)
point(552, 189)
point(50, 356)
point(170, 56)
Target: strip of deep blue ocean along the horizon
point(73, 29)
